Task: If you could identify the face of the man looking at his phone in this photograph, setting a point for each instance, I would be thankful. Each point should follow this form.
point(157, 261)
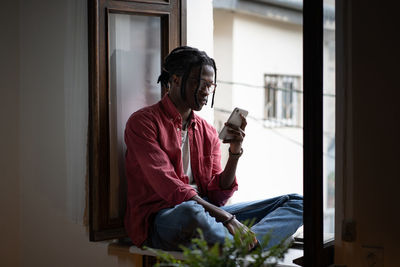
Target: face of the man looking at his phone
point(197, 90)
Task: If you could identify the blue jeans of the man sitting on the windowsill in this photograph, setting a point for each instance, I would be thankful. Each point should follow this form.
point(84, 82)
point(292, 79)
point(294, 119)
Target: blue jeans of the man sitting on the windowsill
point(280, 217)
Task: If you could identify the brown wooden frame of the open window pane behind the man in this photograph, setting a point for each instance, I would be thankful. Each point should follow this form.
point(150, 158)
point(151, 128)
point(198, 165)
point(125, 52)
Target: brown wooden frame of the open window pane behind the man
point(172, 15)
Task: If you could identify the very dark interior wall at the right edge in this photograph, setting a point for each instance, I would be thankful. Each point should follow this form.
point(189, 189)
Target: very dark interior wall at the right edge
point(373, 48)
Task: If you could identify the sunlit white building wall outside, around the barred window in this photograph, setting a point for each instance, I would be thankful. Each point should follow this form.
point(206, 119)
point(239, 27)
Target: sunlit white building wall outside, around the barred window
point(246, 48)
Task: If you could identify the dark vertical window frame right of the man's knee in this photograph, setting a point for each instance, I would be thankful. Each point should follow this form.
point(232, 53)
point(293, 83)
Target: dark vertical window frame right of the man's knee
point(316, 252)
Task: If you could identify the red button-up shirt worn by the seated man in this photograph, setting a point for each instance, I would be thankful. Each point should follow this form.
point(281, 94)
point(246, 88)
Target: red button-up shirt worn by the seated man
point(154, 171)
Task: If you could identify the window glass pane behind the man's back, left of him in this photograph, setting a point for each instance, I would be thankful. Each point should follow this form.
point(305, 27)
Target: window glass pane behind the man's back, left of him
point(134, 60)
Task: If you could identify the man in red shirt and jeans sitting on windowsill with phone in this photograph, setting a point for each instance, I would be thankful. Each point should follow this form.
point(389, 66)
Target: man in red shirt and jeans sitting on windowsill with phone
point(175, 180)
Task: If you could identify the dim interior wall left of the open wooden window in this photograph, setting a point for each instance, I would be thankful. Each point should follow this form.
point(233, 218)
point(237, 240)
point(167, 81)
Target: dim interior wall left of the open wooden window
point(43, 104)
